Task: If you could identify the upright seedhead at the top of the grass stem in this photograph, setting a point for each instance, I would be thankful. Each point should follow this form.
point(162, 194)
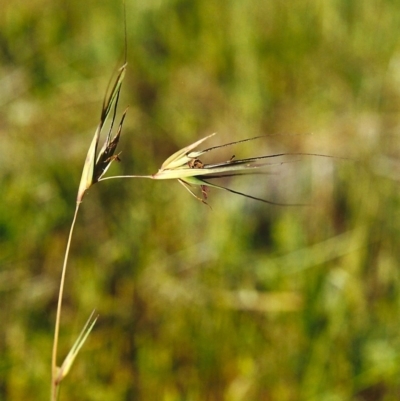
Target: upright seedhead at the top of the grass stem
point(96, 164)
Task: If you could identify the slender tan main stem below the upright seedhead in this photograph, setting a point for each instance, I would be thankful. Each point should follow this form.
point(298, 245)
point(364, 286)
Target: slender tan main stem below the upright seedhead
point(54, 369)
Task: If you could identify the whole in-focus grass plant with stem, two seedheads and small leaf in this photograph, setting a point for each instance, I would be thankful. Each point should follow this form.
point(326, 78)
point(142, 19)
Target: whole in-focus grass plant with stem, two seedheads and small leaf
point(184, 165)
